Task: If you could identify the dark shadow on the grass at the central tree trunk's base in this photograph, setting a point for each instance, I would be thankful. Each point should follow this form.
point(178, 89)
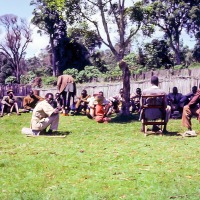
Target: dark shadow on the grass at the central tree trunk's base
point(125, 119)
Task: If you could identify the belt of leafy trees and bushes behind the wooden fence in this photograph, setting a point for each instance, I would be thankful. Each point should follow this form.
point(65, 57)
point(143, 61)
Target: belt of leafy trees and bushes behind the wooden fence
point(89, 37)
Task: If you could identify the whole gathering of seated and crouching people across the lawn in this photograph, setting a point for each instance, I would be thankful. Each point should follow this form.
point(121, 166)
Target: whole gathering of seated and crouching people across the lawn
point(98, 107)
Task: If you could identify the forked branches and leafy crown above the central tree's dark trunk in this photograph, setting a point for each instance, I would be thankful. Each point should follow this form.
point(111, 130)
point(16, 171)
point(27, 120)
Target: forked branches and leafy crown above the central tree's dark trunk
point(109, 19)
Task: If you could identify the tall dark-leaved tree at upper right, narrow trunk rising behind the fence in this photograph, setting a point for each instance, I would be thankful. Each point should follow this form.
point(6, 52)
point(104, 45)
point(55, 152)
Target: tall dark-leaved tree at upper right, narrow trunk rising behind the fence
point(172, 17)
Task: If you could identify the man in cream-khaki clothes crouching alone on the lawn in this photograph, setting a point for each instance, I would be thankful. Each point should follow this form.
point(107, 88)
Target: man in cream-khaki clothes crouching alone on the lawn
point(45, 115)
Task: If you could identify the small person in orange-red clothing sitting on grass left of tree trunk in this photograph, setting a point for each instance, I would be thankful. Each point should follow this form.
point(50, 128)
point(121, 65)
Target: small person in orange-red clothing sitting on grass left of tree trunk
point(100, 111)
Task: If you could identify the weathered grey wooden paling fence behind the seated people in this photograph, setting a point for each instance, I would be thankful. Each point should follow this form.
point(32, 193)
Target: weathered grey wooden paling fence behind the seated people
point(183, 79)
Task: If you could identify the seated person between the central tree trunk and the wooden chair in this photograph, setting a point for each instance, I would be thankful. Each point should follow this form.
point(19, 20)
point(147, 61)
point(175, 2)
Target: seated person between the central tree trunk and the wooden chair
point(135, 100)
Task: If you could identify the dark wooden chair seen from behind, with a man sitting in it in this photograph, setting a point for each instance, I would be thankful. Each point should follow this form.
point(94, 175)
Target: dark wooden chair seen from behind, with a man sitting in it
point(153, 104)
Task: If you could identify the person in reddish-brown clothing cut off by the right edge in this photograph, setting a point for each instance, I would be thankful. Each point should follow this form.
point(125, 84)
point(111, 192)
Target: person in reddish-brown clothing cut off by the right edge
point(192, 108)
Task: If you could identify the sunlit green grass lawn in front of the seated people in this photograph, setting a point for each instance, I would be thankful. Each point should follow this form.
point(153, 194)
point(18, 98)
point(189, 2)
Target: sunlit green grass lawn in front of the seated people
point(98, 161)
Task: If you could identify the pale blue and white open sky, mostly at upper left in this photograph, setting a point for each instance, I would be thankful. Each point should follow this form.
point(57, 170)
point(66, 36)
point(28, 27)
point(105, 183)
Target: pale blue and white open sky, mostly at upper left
point(22, 9)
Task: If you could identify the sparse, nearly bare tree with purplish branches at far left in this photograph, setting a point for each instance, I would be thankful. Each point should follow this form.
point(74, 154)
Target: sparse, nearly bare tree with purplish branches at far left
point(16, 40)
